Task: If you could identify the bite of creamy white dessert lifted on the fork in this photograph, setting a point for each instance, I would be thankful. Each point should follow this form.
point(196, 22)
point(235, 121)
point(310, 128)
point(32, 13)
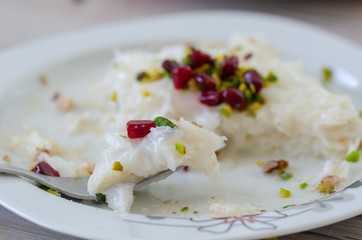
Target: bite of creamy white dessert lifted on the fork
point(143, 157)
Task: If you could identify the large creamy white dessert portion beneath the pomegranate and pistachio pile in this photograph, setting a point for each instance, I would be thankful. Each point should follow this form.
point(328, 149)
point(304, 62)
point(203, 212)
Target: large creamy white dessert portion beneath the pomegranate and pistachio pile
point(299, 116)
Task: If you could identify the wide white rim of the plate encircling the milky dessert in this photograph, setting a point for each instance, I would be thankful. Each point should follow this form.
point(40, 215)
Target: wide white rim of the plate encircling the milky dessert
point(293, 39)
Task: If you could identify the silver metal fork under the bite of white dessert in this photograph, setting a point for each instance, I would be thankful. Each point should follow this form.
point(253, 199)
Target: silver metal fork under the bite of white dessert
point(75, 187)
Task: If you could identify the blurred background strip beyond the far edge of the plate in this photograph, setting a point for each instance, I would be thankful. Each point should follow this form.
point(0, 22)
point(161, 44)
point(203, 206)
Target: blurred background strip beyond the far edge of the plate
point(24, 20)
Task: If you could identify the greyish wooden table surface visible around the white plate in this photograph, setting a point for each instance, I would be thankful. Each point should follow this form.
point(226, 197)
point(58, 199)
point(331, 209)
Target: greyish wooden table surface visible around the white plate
point(24, 20)
